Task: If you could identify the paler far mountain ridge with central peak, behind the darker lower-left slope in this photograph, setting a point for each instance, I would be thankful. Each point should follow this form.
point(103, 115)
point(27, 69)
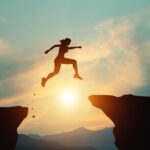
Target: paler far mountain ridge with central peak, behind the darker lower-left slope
point(83, 137)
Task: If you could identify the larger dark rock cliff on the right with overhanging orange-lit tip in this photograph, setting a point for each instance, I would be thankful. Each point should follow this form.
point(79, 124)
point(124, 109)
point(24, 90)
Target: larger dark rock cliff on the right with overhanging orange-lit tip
point(131, 116)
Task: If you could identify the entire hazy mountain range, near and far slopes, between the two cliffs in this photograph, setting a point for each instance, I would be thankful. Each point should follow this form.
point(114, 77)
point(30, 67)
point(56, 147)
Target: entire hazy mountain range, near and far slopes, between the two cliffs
point(79, 139)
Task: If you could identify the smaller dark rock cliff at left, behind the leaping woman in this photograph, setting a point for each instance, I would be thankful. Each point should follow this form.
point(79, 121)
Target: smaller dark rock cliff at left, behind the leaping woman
point(10, 119)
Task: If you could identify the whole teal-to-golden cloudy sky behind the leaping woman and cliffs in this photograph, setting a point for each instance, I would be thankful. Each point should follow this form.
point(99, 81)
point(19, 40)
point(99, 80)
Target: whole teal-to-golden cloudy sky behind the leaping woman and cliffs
point(114, 59)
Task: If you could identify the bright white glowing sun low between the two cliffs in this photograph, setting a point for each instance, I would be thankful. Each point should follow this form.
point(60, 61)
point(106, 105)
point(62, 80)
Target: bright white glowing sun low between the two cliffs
point(68, 98)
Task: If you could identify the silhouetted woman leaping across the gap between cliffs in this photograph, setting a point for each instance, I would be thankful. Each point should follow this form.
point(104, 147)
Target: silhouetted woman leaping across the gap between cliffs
point(60, 59)
